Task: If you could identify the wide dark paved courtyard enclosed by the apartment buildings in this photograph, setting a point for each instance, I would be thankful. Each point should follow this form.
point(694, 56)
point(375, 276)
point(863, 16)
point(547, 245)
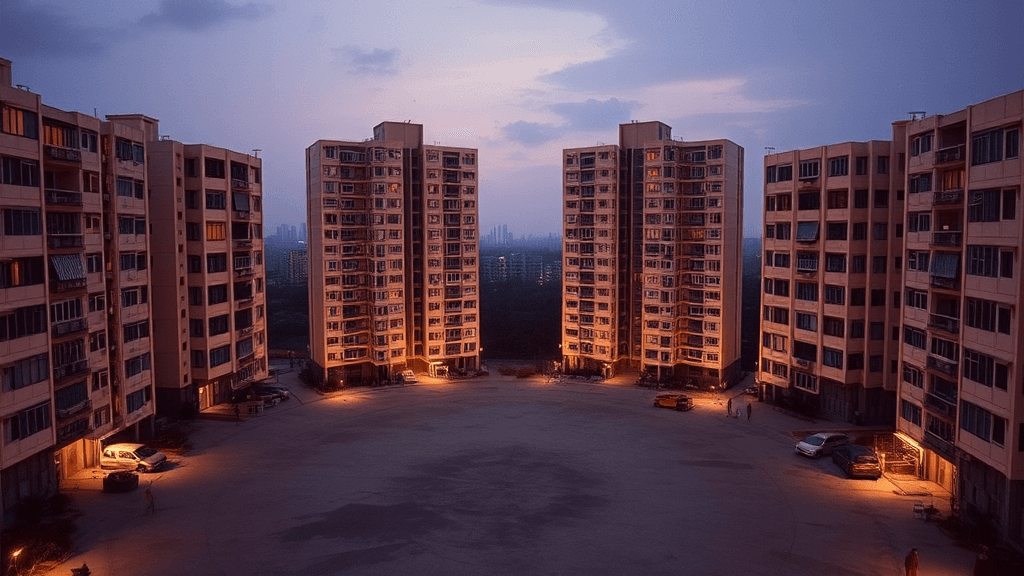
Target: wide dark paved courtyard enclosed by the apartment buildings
point(504, 476)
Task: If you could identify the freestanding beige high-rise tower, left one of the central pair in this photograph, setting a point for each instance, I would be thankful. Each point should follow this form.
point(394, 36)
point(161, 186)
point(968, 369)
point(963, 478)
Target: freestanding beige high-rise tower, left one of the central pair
point(394, 249)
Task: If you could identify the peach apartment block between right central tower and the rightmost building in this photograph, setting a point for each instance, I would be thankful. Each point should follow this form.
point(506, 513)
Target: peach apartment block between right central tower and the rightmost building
point(832, 269)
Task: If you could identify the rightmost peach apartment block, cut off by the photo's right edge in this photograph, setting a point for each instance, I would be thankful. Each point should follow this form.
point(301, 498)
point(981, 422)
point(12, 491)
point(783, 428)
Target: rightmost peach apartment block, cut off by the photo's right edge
point(961, 405)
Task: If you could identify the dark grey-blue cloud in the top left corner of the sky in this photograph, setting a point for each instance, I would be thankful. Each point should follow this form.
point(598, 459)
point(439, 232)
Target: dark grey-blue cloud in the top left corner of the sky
point(28, 30)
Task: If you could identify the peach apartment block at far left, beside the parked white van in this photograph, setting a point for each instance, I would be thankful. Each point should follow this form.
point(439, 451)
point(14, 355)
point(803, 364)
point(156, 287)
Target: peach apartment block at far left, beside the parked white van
point(74, 285)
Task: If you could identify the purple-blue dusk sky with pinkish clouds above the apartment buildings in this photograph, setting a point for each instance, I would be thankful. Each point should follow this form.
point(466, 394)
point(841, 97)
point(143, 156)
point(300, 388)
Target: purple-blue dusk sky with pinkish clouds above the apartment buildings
point(519, 80)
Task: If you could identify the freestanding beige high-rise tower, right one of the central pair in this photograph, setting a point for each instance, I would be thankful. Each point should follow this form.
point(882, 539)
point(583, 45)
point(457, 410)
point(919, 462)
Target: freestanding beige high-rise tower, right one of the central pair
point(653, 257)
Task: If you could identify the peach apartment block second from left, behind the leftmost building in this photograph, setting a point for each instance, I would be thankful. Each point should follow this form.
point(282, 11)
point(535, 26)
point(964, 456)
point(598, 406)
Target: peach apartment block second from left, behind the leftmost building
point(208, 278)
